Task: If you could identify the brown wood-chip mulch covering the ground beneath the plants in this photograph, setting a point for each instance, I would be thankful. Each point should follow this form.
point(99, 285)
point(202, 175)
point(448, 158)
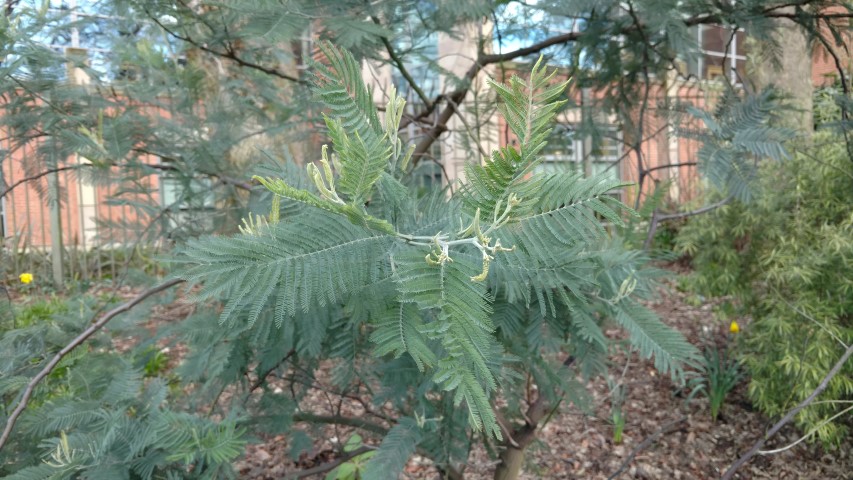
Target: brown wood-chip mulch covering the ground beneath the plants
point(666, 436)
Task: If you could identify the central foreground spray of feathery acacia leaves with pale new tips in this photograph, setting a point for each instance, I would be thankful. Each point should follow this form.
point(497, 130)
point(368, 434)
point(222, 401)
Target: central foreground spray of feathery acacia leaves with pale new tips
point(457, 293)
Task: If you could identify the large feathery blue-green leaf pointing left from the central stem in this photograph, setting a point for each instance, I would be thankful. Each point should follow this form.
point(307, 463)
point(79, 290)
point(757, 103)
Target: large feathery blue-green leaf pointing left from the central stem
point(311, 260)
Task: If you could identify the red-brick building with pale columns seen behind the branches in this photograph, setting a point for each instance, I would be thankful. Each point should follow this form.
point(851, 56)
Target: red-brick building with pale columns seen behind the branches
point(665, 156)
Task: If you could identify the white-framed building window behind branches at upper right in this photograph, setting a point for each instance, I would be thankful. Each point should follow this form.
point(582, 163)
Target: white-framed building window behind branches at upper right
point(723, 52)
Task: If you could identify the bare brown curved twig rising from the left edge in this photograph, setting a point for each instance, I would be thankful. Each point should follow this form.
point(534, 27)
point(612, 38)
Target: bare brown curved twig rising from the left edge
point(93, 328)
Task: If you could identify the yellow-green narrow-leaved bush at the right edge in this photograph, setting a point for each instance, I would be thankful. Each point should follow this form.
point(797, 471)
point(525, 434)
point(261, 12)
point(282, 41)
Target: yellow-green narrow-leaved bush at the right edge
point(787, 259)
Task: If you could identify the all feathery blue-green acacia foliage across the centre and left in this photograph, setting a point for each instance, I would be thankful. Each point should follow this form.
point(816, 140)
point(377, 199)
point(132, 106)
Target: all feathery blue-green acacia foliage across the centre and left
point(433, 303)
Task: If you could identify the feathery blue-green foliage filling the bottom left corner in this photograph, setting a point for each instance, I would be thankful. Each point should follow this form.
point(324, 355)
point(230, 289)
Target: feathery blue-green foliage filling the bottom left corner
point(101, 413)
